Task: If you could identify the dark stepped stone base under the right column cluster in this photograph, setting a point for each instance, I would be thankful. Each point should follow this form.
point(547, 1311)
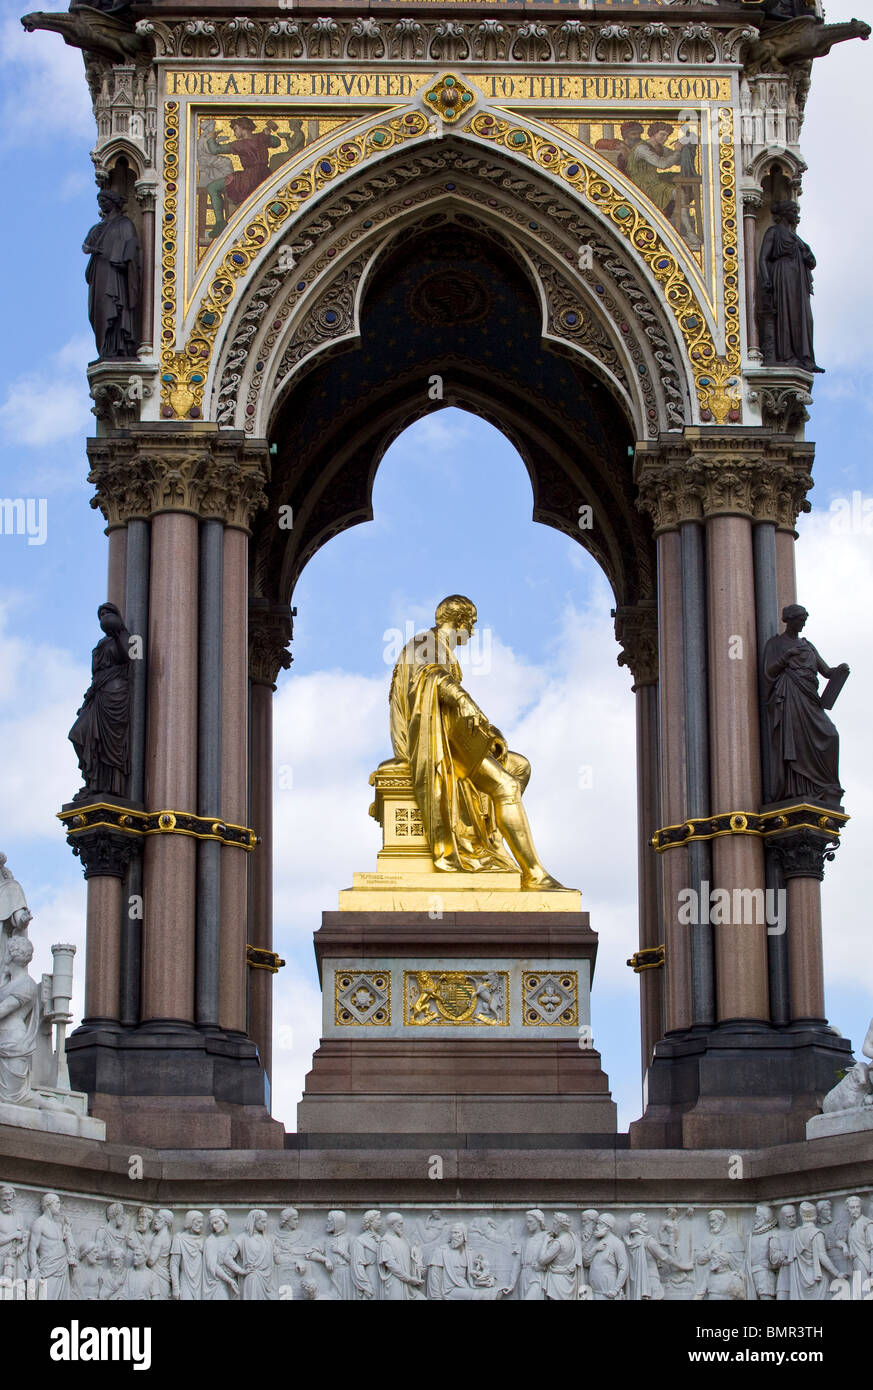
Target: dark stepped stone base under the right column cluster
point(739, 1086)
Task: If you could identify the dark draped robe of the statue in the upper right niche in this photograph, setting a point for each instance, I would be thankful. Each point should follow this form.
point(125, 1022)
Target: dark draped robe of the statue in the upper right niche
point(786, 284)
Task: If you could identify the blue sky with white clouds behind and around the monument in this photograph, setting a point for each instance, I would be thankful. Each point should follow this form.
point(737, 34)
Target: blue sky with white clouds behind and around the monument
point(553, 683)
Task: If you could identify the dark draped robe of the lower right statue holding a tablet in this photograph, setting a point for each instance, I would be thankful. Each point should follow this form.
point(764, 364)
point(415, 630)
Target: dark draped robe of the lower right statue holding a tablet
point(804, 743)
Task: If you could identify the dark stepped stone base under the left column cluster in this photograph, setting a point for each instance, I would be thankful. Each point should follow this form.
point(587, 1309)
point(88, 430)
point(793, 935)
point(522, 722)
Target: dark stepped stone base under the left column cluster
point(168, 1084)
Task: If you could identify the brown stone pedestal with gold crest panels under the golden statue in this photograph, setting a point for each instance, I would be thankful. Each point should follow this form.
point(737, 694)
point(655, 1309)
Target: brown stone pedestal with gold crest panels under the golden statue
point(476, 1024)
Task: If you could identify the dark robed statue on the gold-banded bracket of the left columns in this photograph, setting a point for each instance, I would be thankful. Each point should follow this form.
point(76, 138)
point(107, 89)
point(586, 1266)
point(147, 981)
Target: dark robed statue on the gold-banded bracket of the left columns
point(102, 732)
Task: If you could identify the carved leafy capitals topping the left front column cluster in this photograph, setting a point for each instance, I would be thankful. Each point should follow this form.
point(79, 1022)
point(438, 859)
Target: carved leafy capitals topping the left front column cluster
point(211, 475)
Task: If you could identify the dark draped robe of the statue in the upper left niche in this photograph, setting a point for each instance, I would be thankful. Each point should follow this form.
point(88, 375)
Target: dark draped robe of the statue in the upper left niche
point(113, 287)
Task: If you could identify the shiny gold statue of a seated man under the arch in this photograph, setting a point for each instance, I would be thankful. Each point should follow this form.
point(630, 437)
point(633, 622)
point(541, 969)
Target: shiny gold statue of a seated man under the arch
point(468, 783)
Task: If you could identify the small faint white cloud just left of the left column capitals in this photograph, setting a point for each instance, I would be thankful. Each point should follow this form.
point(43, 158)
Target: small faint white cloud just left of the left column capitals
point(48, 407)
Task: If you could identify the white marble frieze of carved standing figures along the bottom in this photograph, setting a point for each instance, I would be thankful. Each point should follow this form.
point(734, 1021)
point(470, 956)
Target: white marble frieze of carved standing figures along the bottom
point(76, 1248)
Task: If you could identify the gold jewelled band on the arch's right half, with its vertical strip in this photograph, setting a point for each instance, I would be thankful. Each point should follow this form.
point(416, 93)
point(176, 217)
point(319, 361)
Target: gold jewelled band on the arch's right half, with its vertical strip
point(717, 377)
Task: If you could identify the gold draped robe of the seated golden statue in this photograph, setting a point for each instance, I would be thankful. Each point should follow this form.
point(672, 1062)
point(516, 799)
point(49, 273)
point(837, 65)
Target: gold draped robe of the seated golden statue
point(458, 819)
